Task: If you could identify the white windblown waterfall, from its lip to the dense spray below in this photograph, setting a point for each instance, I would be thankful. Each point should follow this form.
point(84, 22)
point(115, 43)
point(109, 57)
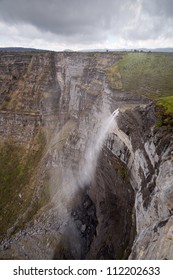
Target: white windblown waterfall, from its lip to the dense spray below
point(71, 180)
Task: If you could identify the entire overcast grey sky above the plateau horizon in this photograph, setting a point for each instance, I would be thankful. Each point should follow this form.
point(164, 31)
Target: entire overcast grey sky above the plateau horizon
point(86, 24)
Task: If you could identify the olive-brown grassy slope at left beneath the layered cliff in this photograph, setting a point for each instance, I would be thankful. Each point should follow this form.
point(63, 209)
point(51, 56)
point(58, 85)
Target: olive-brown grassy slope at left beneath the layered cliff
point(17, 167)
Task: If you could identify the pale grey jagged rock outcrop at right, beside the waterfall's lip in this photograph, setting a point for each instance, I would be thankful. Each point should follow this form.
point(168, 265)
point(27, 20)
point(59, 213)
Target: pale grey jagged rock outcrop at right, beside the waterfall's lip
point(146, 151)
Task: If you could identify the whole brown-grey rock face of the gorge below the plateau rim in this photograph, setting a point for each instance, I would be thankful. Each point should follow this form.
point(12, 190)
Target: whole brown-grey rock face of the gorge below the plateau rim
point(72, 201)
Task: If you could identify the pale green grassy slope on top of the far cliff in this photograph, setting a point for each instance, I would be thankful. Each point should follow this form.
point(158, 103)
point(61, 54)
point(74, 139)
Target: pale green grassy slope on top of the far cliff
point(149, 74)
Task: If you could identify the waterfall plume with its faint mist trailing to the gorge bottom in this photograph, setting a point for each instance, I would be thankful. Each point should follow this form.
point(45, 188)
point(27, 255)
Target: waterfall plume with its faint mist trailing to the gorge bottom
point(72, 182)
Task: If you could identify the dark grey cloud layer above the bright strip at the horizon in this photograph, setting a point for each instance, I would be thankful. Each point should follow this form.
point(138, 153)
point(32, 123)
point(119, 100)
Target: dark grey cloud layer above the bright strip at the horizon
point(89, 21)
